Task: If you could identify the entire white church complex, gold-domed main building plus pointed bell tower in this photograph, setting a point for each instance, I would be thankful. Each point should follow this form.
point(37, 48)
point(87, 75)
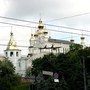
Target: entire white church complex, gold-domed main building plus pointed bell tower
point(40, 44)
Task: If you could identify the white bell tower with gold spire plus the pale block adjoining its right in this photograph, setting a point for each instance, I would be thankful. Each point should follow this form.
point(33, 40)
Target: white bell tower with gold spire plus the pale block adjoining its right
point(14, 55)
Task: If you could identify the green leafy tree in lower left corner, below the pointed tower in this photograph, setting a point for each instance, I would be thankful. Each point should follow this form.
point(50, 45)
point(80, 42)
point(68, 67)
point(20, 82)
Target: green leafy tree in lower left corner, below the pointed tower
point(8, 78)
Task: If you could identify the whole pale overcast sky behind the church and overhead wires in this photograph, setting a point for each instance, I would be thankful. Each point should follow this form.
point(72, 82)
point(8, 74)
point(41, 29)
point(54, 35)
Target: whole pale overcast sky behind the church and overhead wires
point(48, 10)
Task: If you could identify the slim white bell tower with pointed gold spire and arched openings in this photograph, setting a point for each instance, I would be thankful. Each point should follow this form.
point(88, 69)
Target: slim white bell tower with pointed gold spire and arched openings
point(12, 52)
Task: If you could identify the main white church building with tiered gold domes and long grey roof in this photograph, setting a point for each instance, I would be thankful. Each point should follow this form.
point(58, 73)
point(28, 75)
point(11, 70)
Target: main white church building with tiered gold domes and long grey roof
point(41, 43)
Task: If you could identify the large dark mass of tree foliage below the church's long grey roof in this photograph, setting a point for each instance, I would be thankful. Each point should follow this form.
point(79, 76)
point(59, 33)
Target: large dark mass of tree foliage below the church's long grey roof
point(69, 66)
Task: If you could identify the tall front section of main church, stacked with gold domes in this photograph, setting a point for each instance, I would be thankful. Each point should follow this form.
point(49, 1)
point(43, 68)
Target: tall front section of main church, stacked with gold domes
point(38, 40)
